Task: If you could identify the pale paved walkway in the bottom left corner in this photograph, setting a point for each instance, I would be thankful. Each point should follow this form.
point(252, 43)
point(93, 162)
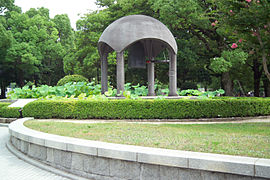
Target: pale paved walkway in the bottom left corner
point(12, 168)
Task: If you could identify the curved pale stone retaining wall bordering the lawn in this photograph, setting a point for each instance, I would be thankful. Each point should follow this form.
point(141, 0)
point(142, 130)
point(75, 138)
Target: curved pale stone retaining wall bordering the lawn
point(99, 160)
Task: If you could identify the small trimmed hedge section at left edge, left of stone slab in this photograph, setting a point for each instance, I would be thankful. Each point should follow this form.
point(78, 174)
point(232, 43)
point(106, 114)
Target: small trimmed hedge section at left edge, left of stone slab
point(9, 112)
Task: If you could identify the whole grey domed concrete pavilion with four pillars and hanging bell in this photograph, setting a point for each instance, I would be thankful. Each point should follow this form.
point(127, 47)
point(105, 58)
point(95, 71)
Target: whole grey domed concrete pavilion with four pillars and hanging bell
point(145, 37)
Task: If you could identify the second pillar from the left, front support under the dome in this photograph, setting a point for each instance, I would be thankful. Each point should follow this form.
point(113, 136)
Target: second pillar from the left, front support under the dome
point(120, 72)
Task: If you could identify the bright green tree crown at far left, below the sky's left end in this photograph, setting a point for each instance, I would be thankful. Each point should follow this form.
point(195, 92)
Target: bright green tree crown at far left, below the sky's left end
point(24, 54)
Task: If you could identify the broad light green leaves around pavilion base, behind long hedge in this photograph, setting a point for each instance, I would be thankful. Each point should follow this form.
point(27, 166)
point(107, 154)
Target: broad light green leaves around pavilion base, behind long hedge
point(83, 89)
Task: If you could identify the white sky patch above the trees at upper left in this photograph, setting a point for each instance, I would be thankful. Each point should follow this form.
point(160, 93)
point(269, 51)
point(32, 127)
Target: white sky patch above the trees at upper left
point(70, 7)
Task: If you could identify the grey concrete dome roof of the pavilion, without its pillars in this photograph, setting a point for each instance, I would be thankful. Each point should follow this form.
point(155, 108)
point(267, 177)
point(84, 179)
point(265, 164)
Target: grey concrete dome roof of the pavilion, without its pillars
point(129, 29)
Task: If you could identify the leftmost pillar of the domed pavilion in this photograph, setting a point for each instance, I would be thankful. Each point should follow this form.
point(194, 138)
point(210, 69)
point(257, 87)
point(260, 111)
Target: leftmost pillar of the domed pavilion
point(104, 73)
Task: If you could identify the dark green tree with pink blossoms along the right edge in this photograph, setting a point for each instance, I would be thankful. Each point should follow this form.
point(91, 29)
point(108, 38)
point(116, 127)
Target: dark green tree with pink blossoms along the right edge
point(246, 24)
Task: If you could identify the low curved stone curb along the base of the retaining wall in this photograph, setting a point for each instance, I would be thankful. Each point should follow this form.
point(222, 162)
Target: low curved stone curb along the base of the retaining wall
point(41, 165)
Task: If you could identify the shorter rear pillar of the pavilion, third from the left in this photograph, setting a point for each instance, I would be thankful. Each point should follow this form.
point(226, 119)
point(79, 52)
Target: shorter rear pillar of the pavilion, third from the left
point(151, 78)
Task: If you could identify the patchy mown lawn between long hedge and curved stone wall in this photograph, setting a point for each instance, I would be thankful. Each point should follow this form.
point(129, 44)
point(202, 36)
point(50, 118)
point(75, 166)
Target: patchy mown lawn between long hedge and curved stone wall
point(243, 139)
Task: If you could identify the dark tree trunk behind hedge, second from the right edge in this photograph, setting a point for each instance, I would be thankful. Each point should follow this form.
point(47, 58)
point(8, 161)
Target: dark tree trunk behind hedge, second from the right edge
point(257, 73)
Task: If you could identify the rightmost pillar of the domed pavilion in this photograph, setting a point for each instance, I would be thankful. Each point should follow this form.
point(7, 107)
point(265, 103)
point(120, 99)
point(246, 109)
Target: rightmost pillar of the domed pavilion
point(173, 75)
